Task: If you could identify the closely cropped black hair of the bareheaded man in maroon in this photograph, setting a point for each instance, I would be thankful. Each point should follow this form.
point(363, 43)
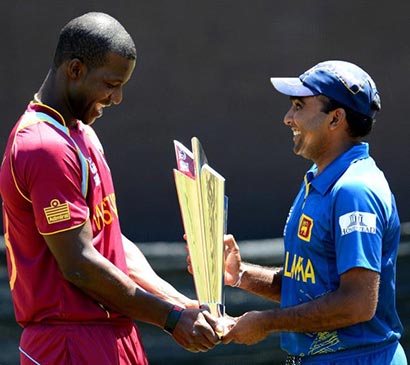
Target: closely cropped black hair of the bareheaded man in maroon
point(90, 38)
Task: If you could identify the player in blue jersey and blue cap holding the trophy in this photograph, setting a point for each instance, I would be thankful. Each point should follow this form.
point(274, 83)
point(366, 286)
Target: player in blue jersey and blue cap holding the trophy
point(337, 285)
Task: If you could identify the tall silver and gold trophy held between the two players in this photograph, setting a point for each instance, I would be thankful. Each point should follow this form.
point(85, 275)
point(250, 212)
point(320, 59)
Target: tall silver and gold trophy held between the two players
point(203, 204)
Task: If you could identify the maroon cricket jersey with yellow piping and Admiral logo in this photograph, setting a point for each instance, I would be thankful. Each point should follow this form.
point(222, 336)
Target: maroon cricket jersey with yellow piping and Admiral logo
point(53, 179)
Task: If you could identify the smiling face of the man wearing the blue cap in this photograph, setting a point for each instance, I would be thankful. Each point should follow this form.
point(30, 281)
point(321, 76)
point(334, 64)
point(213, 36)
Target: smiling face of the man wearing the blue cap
point(310, 127)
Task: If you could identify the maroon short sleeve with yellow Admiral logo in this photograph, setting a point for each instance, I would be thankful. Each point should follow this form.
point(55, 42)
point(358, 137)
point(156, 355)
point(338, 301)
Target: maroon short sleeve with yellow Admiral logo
point(48, 173)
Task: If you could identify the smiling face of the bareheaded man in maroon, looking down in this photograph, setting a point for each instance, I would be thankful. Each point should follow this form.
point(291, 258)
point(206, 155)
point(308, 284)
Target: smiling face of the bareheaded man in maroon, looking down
point(97, 88)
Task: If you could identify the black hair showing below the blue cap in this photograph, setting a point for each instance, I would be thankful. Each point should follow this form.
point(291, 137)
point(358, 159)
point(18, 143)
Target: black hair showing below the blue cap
point(360, 125)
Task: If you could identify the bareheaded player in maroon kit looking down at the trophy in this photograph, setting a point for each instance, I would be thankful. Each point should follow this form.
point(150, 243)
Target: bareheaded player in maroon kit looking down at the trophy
point(77, 283)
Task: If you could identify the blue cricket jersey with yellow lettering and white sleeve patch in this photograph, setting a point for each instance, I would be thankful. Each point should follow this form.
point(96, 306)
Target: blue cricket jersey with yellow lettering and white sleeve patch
point(343, 218)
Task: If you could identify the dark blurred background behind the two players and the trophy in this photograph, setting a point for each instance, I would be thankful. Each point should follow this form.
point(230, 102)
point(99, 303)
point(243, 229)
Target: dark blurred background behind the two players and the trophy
point(203, 70)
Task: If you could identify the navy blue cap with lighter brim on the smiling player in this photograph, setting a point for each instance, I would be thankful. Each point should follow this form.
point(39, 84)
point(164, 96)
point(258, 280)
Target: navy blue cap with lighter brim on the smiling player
point(339, 80)
